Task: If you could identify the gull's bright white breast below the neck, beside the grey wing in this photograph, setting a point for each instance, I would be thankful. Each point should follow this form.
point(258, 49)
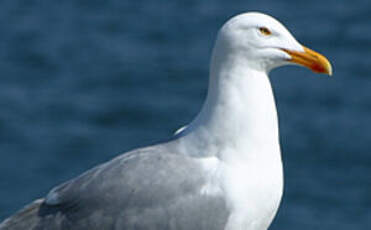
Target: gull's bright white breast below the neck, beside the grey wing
point(253, 190)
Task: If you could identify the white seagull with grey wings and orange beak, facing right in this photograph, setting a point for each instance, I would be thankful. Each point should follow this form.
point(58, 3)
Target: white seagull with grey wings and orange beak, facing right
point(223, 171)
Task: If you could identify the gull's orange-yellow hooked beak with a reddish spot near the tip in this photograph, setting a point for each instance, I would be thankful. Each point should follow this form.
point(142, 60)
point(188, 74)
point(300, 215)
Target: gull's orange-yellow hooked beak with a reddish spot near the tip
point(310, 59)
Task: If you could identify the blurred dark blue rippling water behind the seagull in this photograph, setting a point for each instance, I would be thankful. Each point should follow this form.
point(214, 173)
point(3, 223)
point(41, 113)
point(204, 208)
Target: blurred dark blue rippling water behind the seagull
point(82, 81)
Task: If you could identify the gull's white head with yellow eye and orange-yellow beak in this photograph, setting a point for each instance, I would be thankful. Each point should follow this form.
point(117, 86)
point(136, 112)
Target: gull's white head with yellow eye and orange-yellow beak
point(266, 44)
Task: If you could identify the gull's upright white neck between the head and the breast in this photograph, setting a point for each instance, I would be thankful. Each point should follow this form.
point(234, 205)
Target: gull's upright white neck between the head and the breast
point(239, 111)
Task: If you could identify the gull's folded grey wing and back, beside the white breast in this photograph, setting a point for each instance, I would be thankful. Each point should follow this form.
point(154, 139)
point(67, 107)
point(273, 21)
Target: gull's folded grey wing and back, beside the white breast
point(147, 188)
